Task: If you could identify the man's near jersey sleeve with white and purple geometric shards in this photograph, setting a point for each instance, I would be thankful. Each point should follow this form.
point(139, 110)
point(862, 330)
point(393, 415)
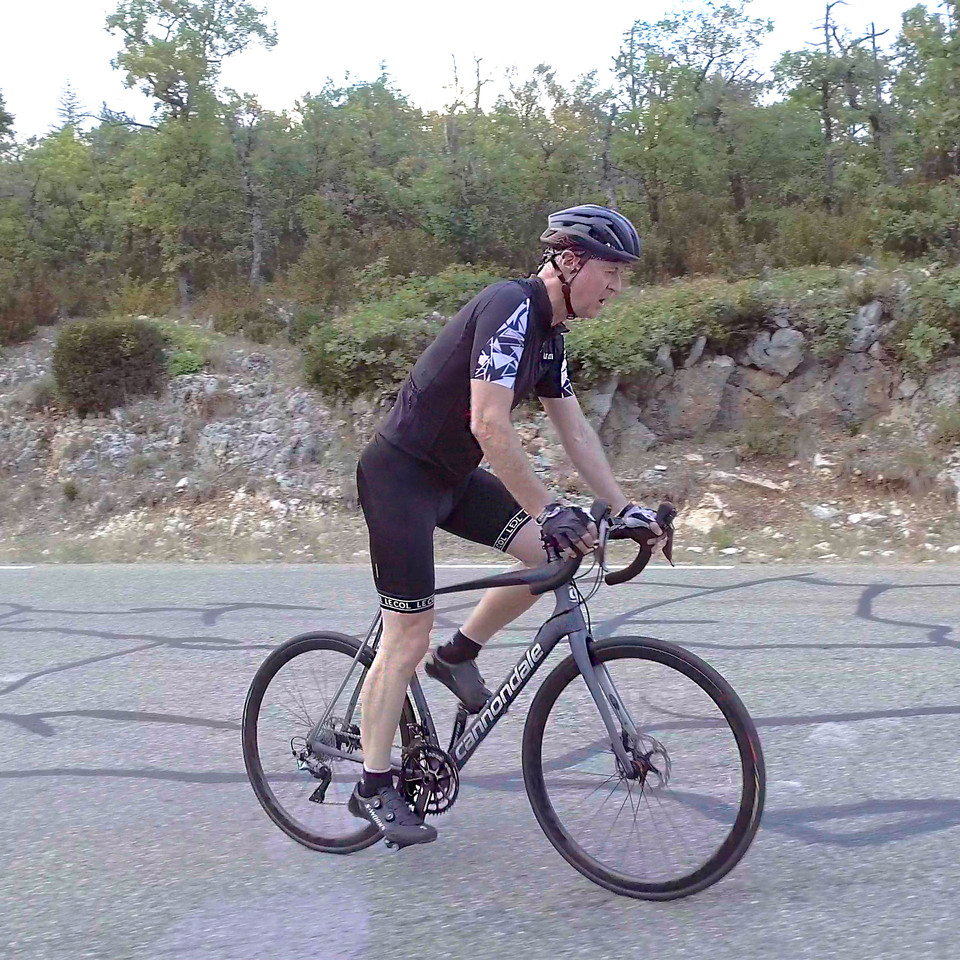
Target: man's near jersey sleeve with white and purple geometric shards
point(499, 336)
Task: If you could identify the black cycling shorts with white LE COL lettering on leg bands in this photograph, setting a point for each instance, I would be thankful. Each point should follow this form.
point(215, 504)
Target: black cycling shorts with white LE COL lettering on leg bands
point(404, 501)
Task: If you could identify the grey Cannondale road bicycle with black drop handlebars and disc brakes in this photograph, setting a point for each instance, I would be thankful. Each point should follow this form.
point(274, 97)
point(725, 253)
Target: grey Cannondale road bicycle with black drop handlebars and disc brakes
point(581, 740)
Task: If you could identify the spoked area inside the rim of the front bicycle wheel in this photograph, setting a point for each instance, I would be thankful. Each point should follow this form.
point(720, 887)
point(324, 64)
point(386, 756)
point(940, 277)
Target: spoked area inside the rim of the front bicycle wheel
point(656, 834)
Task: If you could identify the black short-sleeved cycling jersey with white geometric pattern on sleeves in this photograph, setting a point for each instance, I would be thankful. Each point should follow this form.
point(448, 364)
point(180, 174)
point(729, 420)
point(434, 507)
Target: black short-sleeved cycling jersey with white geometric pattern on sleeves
point(503, 335)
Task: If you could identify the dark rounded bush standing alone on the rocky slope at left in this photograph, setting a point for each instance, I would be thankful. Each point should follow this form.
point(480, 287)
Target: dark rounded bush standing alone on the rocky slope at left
point(101, 364)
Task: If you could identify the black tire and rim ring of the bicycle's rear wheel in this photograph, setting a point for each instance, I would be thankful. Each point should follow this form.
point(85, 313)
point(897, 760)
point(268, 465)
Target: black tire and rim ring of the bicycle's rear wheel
point(366, 834)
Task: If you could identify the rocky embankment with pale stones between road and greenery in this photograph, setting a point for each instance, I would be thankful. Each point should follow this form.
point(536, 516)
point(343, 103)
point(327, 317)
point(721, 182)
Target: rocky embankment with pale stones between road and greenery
point(773, 453)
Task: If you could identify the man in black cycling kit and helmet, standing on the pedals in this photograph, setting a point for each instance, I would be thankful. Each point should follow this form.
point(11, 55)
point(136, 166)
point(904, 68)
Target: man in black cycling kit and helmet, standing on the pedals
point(421, 471)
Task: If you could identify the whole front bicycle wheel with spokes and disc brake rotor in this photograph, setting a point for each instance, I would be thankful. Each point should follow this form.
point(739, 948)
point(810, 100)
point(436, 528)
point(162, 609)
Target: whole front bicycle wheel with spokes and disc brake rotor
point(687, 812)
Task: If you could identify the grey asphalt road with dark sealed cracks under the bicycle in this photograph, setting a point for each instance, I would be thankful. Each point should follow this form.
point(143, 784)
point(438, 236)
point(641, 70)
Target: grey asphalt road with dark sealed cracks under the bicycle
point(129, 829)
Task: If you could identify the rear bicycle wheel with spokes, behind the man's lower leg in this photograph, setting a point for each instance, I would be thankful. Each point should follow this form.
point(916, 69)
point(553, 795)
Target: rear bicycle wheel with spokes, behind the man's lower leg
point(305, 793)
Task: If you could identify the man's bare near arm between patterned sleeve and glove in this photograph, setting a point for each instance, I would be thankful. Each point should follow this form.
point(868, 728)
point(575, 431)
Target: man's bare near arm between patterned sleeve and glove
point(491, 425)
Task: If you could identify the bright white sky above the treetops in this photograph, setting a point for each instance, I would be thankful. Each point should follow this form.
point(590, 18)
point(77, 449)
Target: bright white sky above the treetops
point(46, 43)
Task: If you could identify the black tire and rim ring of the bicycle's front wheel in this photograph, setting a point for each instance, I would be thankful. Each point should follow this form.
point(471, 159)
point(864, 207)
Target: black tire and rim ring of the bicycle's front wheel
point(750, 810)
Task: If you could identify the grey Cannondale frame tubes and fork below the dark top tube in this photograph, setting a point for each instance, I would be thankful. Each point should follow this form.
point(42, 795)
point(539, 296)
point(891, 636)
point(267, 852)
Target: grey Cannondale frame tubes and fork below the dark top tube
point(566, 621)
